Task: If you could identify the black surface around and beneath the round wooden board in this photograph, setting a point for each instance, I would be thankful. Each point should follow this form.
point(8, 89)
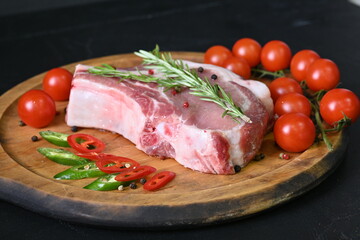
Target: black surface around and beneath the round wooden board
point(35, 42)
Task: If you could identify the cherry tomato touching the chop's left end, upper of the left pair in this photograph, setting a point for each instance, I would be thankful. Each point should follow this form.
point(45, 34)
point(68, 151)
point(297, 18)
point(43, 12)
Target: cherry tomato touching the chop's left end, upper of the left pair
point(57, 83)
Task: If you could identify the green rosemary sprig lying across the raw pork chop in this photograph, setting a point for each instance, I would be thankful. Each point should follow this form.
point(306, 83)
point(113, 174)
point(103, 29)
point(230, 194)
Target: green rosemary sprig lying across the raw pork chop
point(176, 74)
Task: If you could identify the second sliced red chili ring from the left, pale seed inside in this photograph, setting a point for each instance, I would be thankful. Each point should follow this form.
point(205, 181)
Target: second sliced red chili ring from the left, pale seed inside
point(116, 164)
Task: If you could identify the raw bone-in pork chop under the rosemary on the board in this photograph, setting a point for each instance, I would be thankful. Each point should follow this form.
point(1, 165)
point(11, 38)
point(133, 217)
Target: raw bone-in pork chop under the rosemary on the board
point(175, 125)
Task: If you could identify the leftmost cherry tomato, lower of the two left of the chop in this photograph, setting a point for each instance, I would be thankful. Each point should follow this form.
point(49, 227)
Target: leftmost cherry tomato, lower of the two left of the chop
point(36, 108)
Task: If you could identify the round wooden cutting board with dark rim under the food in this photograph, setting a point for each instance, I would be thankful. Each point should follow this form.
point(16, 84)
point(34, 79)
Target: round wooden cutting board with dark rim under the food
point(192, 198)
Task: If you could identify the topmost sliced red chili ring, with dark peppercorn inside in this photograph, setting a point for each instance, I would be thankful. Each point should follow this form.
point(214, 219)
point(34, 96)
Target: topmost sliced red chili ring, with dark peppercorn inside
point(85, 143)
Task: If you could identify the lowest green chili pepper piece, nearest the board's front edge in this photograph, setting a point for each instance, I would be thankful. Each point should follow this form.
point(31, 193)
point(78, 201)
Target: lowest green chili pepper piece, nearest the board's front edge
point(106, 183)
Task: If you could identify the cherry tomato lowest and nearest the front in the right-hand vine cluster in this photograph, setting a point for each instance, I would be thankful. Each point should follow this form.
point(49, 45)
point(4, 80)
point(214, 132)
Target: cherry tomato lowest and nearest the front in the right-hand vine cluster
point(294, 132)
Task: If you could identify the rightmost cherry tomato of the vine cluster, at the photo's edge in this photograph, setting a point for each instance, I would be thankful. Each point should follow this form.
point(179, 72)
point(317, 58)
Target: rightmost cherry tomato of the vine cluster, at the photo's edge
point(338, 102)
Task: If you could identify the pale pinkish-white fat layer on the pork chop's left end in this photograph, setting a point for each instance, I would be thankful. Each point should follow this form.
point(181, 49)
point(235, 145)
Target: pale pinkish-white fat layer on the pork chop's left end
point(102, 114)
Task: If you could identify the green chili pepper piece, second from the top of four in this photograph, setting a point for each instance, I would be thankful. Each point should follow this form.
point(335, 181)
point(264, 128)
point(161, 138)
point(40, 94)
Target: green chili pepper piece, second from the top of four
point(62, 156)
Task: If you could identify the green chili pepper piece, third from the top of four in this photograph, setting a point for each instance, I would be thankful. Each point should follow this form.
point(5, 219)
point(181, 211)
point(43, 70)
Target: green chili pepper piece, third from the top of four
point(88, 170)
